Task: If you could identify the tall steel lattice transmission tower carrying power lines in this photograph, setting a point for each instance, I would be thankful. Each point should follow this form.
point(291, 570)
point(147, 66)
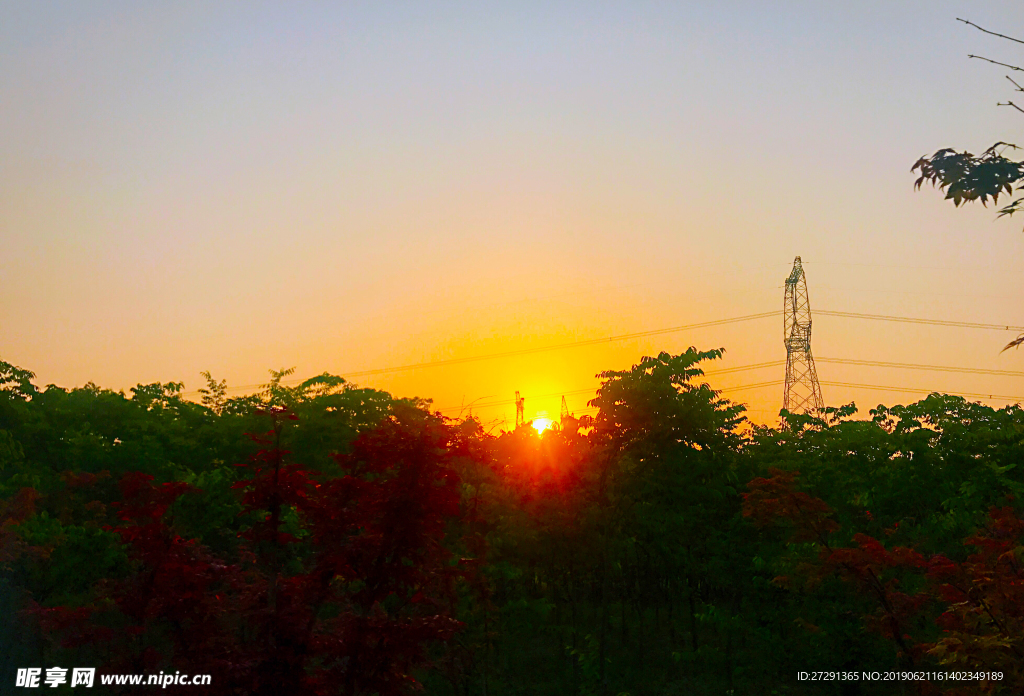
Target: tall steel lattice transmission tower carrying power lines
point(803, 394)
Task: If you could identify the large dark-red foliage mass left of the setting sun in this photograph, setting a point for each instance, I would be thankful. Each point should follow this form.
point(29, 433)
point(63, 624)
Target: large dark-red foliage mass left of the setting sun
point(338, 587)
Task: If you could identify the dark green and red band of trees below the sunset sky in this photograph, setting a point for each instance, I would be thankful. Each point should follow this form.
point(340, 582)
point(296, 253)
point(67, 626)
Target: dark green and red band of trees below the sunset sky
point(329, 540)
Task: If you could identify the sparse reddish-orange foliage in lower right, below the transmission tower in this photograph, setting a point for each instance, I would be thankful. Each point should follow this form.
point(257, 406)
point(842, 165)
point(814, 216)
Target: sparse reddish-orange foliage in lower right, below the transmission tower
point(982, 600)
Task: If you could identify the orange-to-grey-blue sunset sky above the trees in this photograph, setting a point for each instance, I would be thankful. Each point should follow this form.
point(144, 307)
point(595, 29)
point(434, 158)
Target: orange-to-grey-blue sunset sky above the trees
point(344, 188)
